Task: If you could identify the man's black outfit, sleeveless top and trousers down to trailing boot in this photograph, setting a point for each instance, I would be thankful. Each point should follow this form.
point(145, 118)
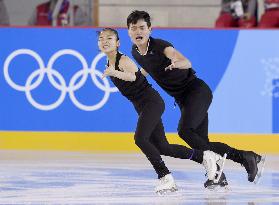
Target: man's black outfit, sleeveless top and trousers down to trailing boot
point(194, 98)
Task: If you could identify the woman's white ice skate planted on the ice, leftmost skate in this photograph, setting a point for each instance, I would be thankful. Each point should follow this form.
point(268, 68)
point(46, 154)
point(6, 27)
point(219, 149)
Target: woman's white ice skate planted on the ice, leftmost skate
point(166, 184)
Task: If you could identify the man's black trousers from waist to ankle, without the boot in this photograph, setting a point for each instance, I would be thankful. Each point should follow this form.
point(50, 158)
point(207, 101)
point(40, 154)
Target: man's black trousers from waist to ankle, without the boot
point(193, 124)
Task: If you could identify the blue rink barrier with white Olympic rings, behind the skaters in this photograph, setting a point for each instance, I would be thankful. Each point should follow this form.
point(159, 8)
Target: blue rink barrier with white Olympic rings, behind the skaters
point(50, 80)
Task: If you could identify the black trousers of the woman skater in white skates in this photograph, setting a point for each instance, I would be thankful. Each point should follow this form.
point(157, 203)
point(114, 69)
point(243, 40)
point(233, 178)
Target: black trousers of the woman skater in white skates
point(150, 135)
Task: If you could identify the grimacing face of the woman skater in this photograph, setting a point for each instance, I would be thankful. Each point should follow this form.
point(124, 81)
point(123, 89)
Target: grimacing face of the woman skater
point(108, 42)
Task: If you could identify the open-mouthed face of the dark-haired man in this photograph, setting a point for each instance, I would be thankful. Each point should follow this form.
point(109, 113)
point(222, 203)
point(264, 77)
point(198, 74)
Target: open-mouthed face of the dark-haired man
point(139, 32)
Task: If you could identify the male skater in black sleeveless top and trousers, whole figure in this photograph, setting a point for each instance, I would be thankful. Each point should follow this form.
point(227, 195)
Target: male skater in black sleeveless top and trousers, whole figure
point(173, 72)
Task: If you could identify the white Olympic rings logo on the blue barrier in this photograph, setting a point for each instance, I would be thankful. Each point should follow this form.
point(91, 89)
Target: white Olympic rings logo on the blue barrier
point(61, 85)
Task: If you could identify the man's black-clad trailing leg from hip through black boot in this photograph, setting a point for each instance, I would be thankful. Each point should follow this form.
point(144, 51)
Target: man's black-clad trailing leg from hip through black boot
point(193, 125)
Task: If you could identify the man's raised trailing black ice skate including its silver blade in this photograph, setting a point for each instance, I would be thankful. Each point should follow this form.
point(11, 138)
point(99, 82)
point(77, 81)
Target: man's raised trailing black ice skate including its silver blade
point(250, 163)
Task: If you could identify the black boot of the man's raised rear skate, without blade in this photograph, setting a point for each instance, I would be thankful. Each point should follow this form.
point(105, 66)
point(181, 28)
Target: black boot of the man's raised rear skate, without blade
point(250, 160)
